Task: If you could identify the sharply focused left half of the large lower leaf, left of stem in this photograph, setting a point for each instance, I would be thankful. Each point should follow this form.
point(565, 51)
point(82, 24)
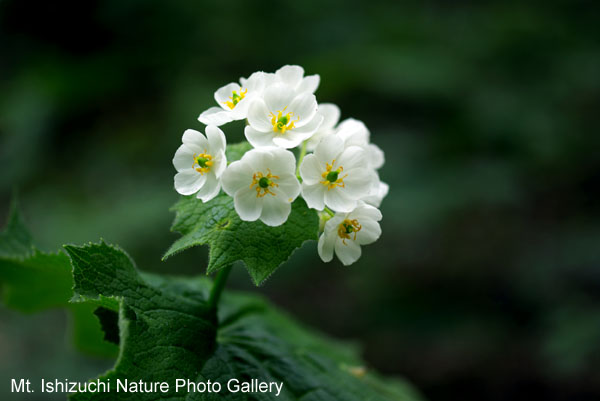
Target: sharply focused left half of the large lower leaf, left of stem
point(164, 334)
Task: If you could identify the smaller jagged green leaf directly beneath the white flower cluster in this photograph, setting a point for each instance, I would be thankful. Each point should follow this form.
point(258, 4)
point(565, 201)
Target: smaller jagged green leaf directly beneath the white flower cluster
point(216, 223)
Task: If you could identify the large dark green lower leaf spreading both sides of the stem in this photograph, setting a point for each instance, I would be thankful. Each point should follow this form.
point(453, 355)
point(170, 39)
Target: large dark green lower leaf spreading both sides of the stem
point(167, 332)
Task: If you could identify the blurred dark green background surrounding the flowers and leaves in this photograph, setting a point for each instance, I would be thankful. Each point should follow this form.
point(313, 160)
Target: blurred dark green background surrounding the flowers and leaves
point(486, 282)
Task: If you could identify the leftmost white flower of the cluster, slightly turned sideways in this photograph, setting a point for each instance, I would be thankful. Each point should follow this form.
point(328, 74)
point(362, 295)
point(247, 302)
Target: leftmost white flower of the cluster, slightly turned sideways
point(200, 162)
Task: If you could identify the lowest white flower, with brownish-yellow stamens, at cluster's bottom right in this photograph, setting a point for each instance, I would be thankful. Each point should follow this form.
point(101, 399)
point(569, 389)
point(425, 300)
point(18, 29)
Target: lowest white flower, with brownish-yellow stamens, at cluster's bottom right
point(345, 232)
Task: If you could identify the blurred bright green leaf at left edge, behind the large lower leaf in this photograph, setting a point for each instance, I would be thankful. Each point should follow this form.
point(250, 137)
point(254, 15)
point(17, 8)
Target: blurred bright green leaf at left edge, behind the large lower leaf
point(32, 281)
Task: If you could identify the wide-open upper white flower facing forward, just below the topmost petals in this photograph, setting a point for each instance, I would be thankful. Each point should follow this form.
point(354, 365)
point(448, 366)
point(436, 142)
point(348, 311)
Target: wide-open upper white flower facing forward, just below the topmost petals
point(282, 118)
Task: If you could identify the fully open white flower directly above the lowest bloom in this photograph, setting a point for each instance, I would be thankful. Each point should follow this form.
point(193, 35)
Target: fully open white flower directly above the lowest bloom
point(336, 176)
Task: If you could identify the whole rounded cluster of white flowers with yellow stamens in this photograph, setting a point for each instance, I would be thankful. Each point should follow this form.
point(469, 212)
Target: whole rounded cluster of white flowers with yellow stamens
point(338, 178)
